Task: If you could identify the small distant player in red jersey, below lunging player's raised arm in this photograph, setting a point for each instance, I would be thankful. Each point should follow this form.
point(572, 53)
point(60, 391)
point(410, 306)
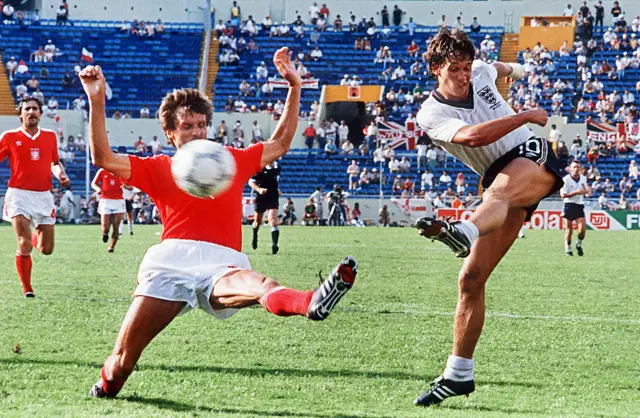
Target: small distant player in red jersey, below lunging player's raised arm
point(111, 207)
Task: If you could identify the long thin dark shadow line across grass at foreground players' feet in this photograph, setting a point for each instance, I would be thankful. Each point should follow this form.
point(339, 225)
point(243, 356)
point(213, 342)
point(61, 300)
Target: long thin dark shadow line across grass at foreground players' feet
point(259, 371)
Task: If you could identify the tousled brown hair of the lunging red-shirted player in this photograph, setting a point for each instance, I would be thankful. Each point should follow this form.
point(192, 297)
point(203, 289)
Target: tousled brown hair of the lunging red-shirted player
point(191, 100)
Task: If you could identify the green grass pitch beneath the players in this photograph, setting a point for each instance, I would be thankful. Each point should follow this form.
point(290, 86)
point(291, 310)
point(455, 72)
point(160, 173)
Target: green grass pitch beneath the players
point(562, 335)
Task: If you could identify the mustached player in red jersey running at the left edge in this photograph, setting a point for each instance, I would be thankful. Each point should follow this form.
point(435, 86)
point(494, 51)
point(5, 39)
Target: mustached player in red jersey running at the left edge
point(33, 158)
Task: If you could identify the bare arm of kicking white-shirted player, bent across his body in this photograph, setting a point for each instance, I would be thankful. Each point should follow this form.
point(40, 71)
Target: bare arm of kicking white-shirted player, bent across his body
point(489, 132)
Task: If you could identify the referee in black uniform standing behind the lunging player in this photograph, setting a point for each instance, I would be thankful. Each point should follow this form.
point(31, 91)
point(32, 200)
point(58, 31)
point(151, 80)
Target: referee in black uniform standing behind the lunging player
point(265, 184)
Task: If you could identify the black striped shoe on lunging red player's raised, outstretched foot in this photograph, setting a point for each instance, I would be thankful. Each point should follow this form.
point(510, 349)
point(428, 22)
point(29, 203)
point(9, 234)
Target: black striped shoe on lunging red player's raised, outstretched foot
point(327, 296)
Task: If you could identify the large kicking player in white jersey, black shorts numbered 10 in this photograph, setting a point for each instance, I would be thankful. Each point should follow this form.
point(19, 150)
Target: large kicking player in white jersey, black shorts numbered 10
point(468, 117)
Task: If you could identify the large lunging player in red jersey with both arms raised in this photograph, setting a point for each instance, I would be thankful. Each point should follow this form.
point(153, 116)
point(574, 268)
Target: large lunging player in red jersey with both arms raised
point(199, 262)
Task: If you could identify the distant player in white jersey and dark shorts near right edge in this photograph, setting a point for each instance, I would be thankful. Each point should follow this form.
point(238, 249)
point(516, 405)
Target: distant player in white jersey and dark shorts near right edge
point(573, 192)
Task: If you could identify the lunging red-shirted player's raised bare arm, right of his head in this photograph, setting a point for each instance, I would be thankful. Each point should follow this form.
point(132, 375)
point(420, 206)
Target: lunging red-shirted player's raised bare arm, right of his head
point(280, 140)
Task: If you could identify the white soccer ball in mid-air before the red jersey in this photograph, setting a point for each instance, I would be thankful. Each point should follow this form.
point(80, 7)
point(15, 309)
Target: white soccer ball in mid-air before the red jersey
point(203, 168)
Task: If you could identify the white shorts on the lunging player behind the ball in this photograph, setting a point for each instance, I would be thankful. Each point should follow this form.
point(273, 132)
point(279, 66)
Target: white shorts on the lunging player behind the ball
point(187, 271)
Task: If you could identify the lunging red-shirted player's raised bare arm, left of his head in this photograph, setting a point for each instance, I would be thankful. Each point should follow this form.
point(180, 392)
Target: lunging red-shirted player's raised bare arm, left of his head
point(94, 85)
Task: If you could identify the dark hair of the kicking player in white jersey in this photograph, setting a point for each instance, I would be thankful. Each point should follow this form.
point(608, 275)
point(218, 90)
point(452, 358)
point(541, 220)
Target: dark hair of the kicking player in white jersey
point(449, 44)
